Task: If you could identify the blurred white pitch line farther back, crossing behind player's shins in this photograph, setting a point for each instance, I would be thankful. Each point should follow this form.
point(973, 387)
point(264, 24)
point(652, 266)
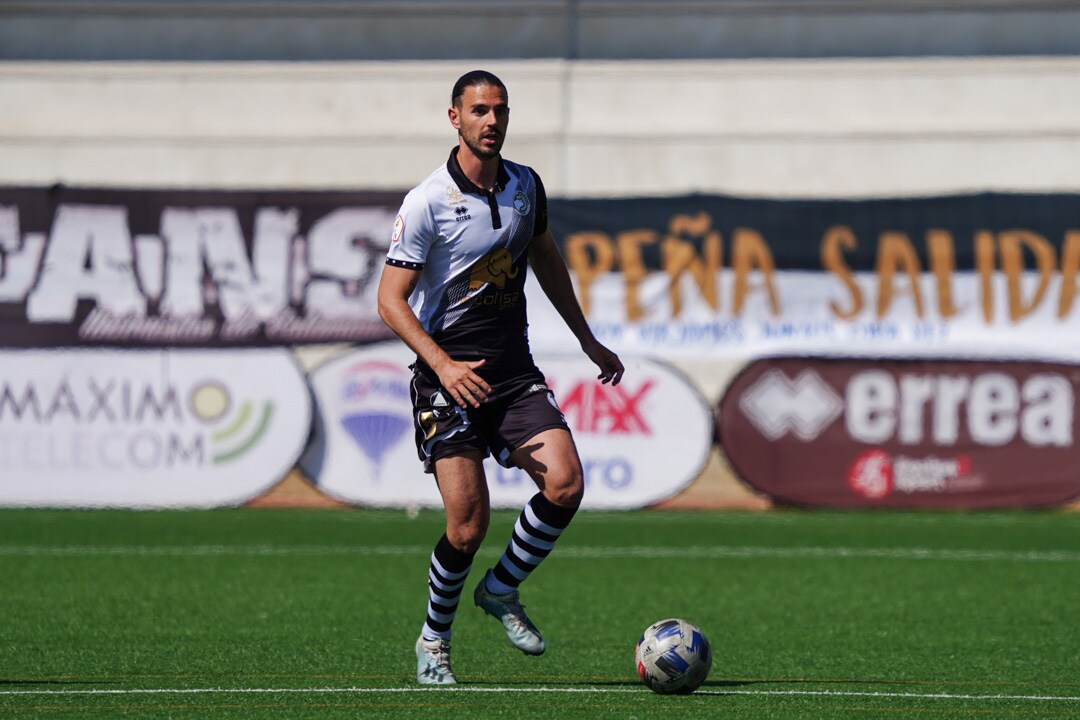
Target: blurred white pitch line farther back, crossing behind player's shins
point(595, 552)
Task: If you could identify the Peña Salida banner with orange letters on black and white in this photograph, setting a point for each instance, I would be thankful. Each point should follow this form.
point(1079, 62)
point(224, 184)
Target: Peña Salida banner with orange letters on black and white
point(704, 276)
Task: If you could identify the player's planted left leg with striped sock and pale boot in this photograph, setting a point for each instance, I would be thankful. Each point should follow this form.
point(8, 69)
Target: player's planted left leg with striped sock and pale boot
point(465, 495)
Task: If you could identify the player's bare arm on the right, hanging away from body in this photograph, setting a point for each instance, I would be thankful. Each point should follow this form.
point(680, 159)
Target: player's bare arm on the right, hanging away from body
point(551, 273)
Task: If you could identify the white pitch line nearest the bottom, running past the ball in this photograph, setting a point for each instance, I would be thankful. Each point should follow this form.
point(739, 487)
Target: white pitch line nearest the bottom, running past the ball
point(461, 689)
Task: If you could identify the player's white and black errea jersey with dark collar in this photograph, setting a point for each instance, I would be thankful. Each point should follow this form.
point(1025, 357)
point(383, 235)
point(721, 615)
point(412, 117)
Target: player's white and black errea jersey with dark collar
point(471, 248)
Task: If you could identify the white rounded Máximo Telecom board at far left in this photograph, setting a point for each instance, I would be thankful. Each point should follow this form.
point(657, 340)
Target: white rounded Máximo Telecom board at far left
point(148, 429)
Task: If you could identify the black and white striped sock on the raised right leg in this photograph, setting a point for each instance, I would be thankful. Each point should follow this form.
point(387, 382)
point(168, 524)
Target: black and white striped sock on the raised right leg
point(536, 532)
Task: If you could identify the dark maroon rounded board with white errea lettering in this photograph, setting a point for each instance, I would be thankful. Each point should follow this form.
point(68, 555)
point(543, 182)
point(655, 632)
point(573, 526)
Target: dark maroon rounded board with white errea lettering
point(850, 433)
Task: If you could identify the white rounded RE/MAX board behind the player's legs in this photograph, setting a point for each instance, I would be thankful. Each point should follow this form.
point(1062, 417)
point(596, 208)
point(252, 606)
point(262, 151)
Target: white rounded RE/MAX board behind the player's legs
point(641, 442)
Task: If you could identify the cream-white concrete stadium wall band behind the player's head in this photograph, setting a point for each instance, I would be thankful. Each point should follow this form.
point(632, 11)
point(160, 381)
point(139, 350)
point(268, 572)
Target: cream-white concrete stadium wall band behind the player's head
point(784, 129)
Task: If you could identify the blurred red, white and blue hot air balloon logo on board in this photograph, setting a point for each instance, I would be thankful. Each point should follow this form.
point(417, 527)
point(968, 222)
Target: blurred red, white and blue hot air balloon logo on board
point(376, 410)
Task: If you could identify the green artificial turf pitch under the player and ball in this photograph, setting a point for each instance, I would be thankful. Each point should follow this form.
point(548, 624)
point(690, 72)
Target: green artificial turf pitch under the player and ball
point(304, 614)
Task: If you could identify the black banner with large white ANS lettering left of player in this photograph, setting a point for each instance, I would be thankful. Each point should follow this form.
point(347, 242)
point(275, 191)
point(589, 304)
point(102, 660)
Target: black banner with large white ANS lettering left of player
point(139, 268)
